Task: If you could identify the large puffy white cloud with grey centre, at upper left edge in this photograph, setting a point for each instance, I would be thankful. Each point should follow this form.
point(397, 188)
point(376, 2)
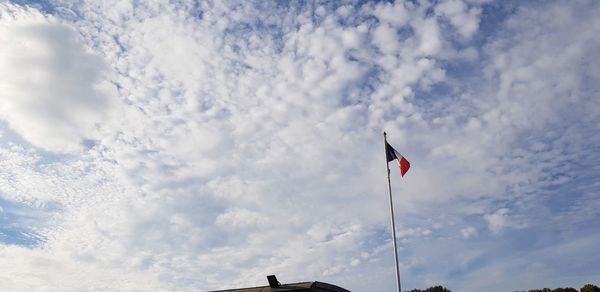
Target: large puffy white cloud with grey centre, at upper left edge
point(52, 92)
